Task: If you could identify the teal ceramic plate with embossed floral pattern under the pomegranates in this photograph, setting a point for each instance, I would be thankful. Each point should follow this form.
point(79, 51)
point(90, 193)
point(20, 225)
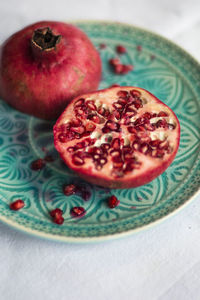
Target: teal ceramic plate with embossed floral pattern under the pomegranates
point(160, 67)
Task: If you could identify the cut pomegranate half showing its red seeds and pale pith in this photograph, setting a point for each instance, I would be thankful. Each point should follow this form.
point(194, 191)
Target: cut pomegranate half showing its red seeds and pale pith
point(120, 137)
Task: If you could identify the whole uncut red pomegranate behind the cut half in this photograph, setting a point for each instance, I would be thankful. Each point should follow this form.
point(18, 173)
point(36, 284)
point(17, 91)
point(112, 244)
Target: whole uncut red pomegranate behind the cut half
point(45, 65)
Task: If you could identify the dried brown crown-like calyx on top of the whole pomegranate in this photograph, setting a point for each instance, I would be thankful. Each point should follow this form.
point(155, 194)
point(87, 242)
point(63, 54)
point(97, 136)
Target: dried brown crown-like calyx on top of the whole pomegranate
point(44, 39)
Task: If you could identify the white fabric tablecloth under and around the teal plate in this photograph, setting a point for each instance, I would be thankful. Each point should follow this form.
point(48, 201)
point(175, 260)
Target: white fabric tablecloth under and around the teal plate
point(162, 262)
